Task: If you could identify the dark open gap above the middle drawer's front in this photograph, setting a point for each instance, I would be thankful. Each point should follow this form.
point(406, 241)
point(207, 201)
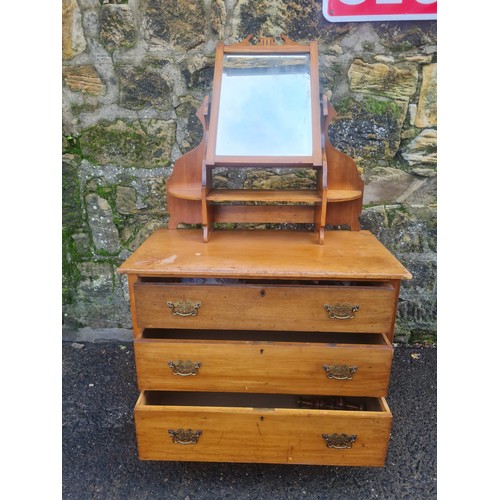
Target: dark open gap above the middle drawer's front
point(333, 338)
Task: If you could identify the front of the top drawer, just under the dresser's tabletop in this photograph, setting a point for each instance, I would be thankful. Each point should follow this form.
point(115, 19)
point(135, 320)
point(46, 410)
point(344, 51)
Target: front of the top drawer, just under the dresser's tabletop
point(295, 308)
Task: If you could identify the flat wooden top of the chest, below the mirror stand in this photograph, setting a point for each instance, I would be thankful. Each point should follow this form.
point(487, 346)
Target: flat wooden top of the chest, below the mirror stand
point(264, 254)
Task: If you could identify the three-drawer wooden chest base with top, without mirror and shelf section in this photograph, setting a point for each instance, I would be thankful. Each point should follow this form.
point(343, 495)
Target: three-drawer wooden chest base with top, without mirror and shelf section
point(262, 332)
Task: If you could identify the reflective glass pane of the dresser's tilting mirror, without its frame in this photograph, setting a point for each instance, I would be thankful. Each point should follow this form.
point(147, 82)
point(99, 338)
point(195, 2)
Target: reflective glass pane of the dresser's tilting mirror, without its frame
point(265, 106)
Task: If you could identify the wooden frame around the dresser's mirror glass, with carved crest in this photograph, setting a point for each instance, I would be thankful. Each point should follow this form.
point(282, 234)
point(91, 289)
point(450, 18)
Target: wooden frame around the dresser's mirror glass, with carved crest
point(266, 46)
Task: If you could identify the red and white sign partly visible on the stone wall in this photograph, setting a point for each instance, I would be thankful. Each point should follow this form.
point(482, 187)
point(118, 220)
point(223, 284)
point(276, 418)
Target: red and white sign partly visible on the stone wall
point(338, 11)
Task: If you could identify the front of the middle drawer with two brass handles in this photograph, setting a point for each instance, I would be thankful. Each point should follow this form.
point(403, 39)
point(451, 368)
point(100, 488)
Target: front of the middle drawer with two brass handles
point(259, 366)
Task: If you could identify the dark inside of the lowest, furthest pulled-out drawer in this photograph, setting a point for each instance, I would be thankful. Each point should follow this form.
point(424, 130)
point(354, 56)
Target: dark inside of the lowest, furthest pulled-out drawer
point(269, 401)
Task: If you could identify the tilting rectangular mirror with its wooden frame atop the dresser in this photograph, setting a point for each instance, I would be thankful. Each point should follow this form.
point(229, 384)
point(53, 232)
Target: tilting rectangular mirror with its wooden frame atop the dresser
point(265, 106)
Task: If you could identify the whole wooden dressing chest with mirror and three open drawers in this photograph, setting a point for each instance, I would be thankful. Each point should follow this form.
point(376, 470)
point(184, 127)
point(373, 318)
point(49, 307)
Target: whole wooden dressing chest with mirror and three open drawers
point(270, 346)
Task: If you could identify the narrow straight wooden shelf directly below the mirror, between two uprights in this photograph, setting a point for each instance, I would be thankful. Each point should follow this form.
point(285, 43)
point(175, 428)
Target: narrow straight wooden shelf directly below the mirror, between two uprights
point(264, 195)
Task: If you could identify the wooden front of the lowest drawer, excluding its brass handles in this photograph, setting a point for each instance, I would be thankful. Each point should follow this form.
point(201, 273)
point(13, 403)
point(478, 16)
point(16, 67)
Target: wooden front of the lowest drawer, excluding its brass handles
point(262, 434)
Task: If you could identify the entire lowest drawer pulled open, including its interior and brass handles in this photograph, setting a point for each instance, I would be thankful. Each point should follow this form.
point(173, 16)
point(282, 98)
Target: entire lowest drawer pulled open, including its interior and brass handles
point(266, 428)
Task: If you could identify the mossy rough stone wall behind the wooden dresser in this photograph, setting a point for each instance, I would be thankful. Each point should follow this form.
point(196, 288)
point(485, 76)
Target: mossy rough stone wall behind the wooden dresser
point(134, 74)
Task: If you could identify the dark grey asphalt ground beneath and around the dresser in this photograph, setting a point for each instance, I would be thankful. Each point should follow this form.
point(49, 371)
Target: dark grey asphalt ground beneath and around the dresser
point(99, 453)
